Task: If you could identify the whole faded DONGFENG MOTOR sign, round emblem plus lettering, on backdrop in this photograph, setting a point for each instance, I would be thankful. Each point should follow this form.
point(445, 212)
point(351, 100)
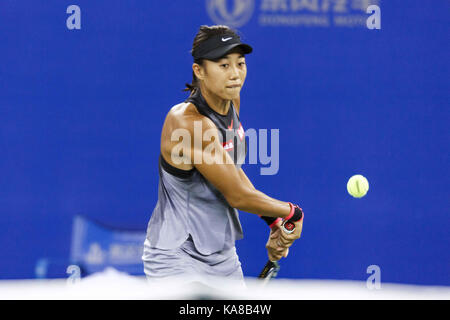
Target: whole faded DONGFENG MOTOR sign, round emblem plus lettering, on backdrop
point(293, 13)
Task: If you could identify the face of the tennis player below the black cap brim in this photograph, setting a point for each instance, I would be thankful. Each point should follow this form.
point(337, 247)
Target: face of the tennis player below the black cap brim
point(226, 76)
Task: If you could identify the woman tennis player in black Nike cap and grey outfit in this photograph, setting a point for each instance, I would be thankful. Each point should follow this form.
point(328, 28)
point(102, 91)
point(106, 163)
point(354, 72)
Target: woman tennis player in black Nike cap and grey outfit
point(194, 226)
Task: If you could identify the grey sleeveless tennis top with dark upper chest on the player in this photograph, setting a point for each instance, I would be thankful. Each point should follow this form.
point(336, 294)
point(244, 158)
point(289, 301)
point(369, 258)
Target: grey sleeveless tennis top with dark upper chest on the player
point(189, 205)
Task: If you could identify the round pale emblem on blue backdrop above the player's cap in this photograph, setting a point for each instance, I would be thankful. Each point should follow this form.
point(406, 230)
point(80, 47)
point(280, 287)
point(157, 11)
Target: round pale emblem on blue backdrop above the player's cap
point(233, 13)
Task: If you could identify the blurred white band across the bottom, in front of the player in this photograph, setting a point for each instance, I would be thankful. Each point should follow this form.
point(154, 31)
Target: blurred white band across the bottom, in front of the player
point(115, 285)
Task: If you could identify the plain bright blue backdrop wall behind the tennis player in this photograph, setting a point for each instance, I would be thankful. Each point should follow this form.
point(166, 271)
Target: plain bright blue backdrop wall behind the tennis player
point(81, 113)
